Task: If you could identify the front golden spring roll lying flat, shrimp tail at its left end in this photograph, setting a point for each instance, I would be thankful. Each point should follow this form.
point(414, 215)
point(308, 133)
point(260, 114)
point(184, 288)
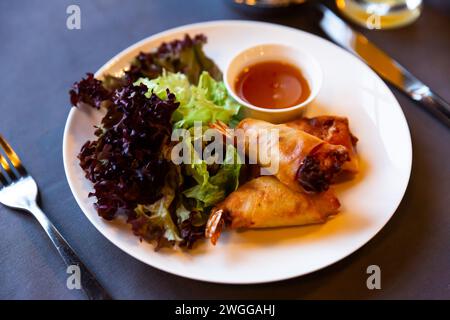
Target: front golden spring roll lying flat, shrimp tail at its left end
point(256, 204)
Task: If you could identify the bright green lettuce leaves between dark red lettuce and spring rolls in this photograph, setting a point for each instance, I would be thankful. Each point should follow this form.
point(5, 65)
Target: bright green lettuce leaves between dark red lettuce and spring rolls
point(207, 102)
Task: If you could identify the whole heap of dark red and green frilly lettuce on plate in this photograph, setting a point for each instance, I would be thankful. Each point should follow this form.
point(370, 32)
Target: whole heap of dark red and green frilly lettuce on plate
point(129, 162)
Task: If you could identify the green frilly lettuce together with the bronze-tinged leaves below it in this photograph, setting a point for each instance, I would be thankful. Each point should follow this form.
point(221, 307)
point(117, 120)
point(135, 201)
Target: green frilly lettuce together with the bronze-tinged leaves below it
point(207, 102)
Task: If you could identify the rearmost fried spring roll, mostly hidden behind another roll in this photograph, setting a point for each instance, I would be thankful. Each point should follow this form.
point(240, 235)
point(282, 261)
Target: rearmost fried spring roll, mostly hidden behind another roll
point(334, 130)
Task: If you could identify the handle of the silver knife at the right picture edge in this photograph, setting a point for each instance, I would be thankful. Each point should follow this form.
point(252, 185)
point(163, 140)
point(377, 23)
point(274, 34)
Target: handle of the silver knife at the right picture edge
point(433, 103)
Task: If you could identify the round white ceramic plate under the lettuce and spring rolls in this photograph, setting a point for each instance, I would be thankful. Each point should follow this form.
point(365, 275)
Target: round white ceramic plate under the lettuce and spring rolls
point(351, 89)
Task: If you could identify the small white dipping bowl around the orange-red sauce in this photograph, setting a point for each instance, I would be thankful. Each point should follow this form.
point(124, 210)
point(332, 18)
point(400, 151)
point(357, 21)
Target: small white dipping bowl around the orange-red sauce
point(306, 63)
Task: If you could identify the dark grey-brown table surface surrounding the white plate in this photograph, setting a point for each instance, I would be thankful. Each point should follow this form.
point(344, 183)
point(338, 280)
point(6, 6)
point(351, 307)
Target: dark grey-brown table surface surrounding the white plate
point(40, 59)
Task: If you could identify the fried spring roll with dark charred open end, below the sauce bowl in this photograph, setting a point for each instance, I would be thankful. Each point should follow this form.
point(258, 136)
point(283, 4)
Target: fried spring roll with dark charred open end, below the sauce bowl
point(305, 162)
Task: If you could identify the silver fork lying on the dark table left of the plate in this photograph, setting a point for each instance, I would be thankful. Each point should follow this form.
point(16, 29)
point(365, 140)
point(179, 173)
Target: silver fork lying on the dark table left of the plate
point(18, 190)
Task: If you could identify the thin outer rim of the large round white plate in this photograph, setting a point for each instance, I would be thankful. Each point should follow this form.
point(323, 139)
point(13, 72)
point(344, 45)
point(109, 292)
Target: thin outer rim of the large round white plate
point(273, 278)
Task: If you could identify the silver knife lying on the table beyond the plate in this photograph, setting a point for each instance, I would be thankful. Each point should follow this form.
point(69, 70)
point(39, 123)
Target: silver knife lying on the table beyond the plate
point(389, 69)
